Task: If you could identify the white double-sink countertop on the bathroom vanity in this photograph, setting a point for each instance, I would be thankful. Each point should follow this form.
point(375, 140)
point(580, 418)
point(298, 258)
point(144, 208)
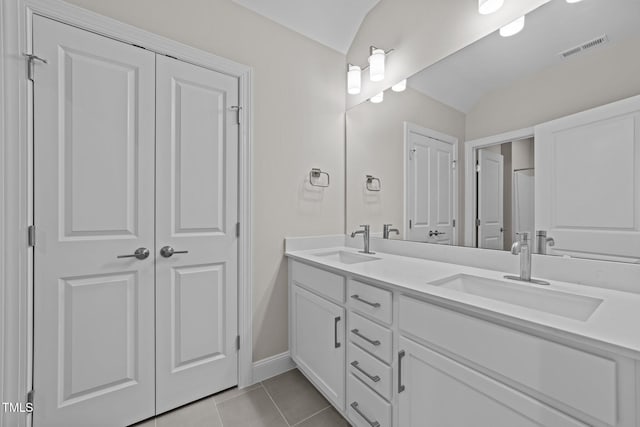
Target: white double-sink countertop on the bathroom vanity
point(614, 323)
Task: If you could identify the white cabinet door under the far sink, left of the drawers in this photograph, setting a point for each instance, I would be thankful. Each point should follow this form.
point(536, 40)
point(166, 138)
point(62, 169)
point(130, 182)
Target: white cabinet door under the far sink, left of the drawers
point(318, 342)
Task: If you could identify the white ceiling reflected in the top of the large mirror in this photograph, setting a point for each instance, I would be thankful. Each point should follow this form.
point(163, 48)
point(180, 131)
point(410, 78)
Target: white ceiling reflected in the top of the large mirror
point(463, 78)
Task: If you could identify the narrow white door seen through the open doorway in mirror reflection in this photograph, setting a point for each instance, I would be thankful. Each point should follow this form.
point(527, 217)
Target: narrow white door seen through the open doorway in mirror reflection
point(491, 200)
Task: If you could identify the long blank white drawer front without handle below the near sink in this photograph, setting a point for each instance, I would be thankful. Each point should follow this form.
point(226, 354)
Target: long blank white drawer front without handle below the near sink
point(552, 369)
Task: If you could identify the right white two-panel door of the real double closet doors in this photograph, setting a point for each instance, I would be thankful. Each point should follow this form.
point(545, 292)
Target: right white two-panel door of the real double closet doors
point(196, 211)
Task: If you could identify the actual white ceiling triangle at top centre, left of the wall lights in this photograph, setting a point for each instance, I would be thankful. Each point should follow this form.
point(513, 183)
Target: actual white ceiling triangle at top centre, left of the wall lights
point(333, 23)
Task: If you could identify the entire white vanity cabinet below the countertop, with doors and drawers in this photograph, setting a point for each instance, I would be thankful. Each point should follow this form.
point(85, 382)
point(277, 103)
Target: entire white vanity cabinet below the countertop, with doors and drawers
point(411, 361)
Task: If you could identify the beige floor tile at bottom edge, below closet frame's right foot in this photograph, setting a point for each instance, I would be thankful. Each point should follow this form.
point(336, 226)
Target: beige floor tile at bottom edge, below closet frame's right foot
point(251, 409)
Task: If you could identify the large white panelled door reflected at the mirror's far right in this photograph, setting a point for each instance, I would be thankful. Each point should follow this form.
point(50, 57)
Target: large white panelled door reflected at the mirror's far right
point(588, 182)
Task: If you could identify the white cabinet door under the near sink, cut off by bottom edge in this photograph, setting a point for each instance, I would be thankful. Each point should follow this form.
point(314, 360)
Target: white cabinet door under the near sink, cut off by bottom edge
point(439, 392)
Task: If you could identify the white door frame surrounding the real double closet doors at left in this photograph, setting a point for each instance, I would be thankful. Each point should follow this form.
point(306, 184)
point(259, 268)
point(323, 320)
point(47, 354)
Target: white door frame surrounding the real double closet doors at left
point(16, 151)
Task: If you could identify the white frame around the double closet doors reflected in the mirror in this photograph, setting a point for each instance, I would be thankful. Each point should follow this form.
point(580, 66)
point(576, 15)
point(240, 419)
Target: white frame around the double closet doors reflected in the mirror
point(442, 137)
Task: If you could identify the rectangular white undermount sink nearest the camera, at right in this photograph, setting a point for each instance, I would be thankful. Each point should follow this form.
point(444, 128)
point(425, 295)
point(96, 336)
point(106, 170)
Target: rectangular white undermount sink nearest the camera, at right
point(576, 307)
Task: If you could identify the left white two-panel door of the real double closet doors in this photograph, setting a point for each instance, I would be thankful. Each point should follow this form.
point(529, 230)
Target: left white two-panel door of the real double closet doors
point(94, 184)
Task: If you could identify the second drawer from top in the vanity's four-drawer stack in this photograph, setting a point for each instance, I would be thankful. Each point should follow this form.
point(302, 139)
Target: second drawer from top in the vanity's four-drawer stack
point(374, 338)
